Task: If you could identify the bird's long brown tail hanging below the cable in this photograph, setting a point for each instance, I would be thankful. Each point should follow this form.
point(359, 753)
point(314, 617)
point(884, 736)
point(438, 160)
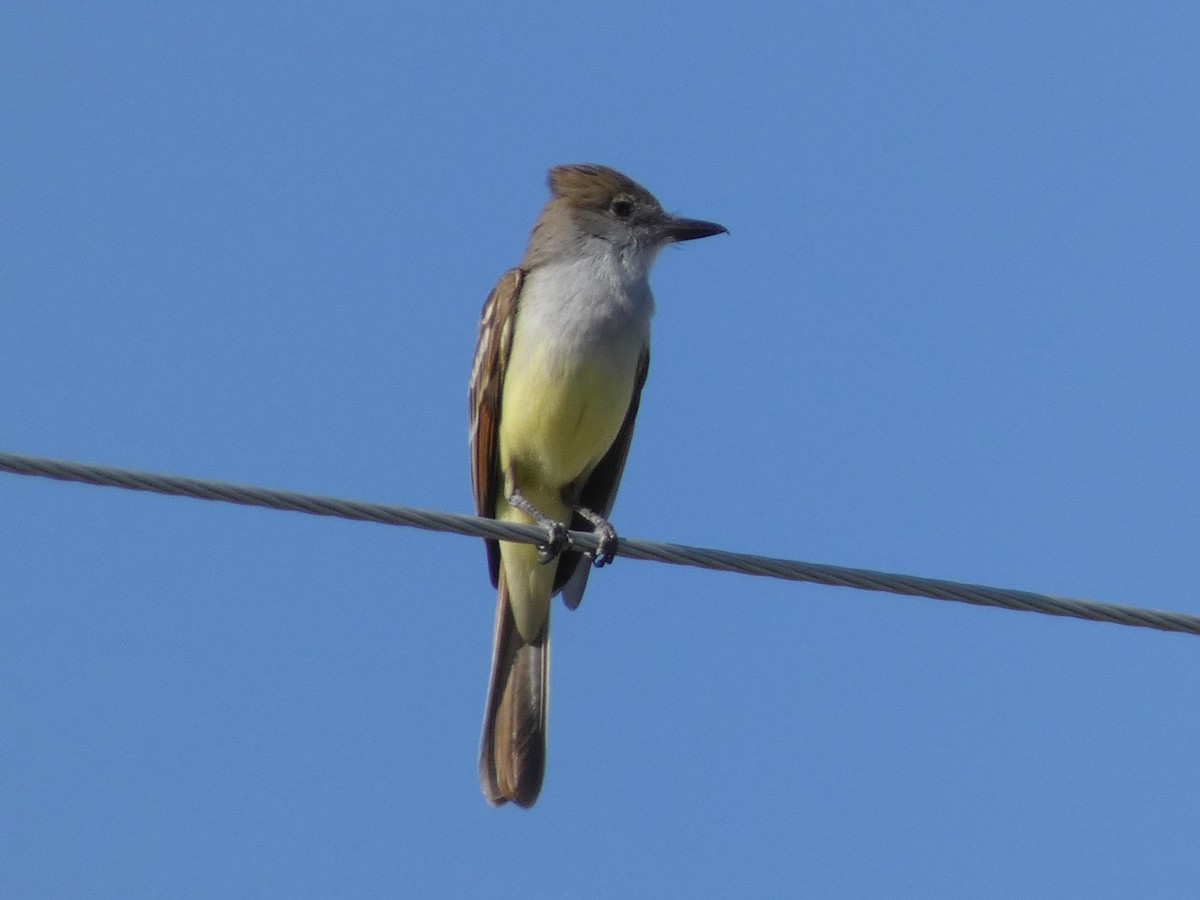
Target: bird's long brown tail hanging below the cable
point(513, 751)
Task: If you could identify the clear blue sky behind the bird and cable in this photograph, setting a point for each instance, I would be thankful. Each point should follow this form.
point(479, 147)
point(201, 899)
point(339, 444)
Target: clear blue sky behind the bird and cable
point(953, 332)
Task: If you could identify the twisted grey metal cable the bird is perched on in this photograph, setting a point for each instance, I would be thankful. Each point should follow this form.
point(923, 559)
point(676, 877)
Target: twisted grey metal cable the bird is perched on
point(674, 554)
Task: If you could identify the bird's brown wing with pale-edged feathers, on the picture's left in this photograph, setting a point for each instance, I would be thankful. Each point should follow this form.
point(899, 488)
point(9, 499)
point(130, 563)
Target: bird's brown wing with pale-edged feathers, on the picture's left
point(487, 389)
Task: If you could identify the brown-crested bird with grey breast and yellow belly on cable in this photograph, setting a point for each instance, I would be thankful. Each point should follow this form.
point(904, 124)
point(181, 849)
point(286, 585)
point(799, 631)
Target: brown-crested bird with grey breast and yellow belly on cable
point(562, 357)
